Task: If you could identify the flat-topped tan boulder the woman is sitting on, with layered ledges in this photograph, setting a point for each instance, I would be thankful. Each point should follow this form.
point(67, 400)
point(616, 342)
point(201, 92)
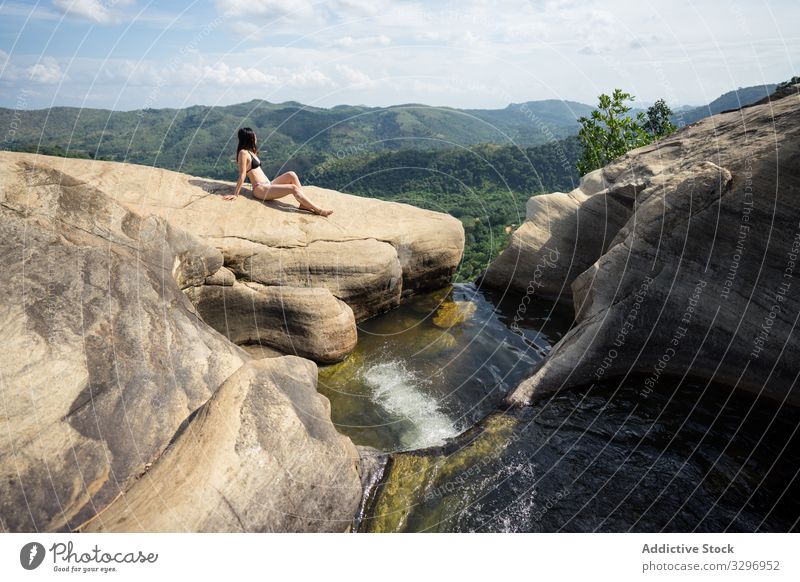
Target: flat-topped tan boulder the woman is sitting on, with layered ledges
point(369, 254)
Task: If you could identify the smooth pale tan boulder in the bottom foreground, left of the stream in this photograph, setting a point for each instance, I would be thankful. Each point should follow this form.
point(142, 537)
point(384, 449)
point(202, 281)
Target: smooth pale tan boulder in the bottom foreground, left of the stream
point(247, 461)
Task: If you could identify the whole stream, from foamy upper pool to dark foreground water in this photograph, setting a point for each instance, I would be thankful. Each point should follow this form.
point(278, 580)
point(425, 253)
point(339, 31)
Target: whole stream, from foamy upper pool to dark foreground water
point(426, 384)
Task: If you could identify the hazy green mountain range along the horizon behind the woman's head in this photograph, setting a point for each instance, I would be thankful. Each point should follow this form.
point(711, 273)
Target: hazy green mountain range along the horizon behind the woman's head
point(200, 140)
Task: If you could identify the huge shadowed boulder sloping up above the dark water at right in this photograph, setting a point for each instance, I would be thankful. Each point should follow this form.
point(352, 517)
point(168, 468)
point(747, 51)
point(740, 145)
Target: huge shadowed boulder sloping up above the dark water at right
point(701, 280)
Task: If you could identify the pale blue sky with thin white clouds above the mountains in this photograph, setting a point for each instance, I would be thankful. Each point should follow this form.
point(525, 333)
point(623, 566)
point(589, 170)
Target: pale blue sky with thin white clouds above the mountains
point(130, 54)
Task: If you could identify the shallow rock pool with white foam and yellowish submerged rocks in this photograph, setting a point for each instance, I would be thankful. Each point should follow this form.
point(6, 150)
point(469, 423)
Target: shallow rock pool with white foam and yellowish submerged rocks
point(427, 371)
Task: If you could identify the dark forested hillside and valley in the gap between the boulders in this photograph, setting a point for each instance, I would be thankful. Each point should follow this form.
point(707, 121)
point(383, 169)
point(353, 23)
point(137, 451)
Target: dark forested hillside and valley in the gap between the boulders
point(486, 186)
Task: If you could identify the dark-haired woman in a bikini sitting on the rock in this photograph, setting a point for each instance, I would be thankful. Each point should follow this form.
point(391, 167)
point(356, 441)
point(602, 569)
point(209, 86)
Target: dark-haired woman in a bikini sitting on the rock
point(263, 189)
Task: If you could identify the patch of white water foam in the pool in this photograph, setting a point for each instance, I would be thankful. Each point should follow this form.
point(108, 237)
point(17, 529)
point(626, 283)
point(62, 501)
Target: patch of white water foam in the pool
point(395, 389)
